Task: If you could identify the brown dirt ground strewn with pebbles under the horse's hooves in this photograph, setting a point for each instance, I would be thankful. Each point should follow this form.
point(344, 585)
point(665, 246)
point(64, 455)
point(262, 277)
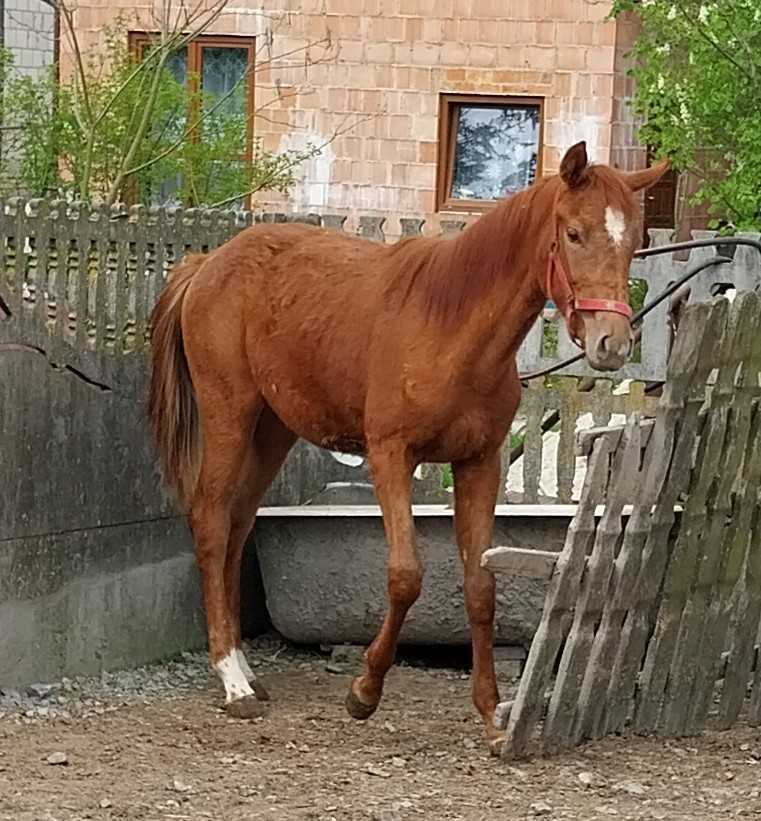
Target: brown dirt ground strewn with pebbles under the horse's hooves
point(422, 756)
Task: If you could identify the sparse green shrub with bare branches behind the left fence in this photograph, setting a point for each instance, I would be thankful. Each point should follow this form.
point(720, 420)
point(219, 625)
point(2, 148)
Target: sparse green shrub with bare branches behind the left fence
point(123, 128)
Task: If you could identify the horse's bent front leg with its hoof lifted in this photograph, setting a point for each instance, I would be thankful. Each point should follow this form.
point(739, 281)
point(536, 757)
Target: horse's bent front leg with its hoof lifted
point(392, 469)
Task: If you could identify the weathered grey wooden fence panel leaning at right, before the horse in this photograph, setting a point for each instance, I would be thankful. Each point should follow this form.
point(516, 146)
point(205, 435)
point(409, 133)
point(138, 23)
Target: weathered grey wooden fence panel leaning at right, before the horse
point(656, 595)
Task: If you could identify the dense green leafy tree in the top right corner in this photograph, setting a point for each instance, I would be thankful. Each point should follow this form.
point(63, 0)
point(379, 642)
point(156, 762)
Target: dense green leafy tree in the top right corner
point(697, 66)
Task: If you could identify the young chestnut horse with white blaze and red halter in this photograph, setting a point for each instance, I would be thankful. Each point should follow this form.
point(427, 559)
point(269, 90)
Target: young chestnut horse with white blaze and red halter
point(405, 353)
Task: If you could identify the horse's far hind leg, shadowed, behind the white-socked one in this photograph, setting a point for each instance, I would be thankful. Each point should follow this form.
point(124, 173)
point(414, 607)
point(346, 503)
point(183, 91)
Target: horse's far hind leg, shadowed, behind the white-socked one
point(271, 445)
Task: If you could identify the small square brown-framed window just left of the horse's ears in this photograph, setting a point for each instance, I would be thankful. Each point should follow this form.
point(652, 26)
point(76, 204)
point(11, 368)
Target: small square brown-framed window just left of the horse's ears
point(489, 147)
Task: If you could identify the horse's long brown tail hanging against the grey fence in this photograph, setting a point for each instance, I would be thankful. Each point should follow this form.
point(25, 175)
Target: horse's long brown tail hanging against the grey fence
point(172, 403)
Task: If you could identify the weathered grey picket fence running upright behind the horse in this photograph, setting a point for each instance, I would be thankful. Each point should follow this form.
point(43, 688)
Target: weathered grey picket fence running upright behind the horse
point(78, 285)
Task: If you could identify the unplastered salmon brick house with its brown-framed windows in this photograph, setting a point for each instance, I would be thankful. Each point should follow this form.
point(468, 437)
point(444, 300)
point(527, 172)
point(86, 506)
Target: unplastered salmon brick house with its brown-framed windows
point(458, 101)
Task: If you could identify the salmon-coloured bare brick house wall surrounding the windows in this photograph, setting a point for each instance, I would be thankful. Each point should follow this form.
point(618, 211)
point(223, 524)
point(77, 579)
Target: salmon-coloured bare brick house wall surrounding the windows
point(394, 58)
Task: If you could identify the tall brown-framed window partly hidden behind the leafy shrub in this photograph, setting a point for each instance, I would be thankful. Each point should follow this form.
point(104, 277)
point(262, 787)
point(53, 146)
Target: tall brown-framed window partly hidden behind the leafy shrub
point(218, 71)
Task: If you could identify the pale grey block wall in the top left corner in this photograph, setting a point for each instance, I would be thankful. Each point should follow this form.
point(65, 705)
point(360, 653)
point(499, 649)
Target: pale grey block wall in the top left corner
point(30, 33)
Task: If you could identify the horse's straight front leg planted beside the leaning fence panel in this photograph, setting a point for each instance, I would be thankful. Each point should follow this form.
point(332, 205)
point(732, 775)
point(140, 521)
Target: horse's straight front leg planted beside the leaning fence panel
point(476, 488)
